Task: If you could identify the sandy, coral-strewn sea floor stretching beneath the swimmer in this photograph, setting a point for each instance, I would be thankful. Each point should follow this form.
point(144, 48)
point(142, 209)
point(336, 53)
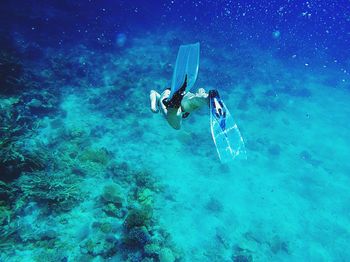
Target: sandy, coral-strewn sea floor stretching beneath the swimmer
point(88, 173)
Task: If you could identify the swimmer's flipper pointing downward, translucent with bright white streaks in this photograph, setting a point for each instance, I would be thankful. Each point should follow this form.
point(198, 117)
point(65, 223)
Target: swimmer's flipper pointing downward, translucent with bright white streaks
point(226, 136)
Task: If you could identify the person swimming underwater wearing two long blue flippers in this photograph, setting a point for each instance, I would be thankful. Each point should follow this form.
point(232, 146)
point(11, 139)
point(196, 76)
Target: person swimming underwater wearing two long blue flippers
point(176, 104)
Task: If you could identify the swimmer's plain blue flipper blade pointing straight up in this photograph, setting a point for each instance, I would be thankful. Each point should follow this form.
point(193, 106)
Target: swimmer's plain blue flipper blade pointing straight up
point(186, 68)
